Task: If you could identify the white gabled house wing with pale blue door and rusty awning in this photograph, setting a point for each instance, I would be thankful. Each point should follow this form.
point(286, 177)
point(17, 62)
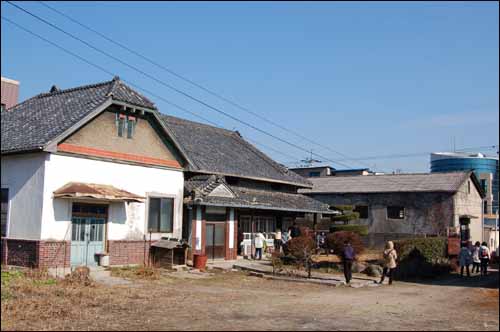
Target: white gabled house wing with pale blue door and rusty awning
point(87, 172)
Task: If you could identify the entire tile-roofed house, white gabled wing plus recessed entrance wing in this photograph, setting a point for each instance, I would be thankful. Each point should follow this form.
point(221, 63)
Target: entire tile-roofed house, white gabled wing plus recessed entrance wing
point(97, 171)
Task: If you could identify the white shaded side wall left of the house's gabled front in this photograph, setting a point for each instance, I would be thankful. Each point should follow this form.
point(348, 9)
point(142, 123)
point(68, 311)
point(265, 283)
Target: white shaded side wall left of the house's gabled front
point(23, 175)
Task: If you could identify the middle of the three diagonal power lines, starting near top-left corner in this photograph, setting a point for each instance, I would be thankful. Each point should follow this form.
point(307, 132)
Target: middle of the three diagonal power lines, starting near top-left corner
point(172, 87)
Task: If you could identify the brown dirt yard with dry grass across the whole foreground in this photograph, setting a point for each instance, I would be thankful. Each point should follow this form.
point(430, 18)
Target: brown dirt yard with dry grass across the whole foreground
point(235, 301)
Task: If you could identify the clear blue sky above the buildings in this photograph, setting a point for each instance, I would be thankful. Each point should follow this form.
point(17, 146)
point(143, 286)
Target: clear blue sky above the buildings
point(366, 79)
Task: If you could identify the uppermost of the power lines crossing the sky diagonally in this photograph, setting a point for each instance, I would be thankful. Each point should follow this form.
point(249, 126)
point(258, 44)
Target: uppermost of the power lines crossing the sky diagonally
point(198, 85)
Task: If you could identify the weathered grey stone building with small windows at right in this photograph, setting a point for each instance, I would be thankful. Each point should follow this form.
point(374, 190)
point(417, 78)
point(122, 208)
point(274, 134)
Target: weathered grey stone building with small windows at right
point(407, 205)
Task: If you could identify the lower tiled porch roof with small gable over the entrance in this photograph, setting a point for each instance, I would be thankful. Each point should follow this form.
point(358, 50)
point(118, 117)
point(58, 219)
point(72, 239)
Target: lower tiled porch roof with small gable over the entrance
point(202, 186)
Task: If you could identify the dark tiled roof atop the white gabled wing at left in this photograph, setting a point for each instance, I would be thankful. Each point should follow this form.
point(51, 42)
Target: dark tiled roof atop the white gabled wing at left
point(35, 122)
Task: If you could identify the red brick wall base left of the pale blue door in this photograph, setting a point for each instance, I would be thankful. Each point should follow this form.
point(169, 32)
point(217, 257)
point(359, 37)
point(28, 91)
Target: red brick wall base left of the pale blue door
point(36, 253)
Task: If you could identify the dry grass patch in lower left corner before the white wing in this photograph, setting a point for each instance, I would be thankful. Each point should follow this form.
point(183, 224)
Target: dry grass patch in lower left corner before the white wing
point(33, 301)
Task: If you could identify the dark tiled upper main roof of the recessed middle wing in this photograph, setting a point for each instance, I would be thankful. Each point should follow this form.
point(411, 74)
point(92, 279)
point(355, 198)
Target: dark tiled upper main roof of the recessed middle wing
point(220, 151)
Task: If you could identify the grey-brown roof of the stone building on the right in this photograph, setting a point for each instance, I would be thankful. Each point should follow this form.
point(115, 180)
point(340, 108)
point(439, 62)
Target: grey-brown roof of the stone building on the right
point(428, 182)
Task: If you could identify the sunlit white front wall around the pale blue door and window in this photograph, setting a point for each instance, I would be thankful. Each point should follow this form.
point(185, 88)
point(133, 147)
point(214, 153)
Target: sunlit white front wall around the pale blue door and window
point(127, 221)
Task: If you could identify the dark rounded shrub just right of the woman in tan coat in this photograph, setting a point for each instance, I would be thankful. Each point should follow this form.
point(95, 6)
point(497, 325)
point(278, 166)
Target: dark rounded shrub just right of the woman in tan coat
point(422, 257)
